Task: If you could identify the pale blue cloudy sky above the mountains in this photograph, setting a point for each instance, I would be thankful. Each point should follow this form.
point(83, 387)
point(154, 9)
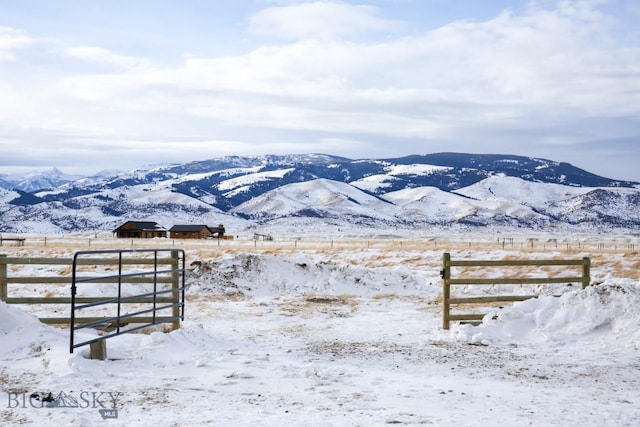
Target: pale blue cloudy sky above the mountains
point(87, 86)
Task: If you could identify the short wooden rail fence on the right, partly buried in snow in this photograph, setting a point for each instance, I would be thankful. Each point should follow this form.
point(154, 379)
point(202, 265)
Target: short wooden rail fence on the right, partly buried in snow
point(583, 277)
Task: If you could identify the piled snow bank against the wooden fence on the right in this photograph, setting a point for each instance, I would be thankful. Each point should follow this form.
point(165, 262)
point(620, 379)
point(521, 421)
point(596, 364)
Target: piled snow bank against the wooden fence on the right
point(608, 312)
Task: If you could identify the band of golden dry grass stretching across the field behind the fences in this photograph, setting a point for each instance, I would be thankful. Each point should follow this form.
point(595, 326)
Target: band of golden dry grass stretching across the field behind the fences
point(419, 253)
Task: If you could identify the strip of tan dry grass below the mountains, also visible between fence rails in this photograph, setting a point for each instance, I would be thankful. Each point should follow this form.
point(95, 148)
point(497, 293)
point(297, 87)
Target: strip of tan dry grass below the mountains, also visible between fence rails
point(608, 258)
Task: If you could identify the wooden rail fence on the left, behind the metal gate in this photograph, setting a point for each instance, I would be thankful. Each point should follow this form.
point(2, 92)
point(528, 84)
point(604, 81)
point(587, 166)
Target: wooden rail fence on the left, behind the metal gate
point(47, 283)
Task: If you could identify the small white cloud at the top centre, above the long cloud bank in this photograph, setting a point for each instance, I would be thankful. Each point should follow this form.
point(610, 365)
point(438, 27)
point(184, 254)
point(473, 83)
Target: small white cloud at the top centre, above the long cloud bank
point(319, 20)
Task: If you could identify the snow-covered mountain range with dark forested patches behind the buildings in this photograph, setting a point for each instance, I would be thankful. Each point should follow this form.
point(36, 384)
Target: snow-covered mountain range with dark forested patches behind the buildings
point(444, 189)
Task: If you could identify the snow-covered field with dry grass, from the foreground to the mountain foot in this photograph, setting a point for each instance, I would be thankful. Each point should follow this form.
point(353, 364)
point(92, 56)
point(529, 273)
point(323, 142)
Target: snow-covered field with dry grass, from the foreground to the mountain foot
point(336, 330)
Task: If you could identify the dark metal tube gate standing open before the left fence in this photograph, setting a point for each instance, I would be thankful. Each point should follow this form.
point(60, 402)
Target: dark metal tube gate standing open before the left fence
point(143, 287)
